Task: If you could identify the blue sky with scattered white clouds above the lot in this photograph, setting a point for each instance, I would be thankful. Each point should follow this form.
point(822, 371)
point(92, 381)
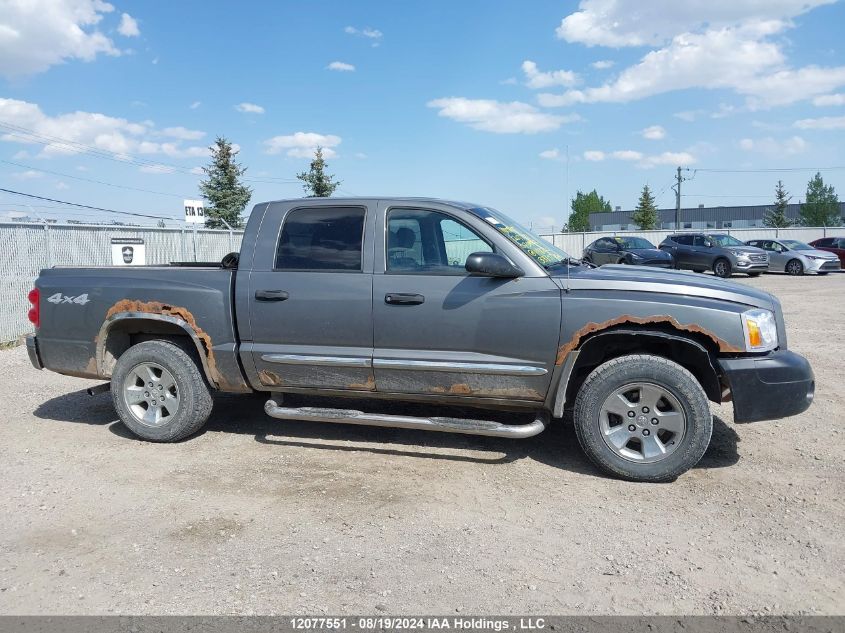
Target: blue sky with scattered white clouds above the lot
point(114, 104)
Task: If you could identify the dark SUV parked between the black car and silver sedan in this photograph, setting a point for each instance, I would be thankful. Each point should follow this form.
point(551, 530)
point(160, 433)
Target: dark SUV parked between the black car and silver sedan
point(718, 252)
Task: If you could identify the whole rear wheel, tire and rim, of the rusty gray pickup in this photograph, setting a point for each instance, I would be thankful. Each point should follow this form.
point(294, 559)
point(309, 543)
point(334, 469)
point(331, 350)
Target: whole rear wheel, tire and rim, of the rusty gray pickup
point(159, 392)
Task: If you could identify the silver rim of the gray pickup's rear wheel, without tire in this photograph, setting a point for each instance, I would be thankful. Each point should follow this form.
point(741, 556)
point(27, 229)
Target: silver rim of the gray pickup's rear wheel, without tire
point(151, 394)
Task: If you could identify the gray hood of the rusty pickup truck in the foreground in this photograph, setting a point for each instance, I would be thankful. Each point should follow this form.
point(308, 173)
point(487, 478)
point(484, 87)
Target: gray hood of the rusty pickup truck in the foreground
point(675, 282)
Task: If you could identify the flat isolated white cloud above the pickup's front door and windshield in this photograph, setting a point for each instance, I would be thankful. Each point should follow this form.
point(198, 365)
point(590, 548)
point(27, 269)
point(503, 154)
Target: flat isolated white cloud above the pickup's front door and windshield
point(498, 117)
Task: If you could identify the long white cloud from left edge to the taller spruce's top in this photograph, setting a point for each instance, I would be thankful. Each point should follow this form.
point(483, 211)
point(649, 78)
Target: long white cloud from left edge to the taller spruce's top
point(65, 134)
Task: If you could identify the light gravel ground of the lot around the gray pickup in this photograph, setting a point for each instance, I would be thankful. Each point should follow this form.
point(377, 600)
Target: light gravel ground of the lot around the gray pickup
point(262, 516)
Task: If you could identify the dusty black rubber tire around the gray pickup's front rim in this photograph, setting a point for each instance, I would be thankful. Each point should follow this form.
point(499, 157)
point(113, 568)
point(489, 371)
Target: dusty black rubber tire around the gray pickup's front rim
point(655, 370)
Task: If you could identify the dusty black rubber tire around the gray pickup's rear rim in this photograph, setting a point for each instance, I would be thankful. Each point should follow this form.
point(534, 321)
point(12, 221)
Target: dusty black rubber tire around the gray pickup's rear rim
point(194, 394)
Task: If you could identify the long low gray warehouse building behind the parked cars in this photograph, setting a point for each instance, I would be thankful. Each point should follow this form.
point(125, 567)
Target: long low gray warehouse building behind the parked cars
point(699, 217)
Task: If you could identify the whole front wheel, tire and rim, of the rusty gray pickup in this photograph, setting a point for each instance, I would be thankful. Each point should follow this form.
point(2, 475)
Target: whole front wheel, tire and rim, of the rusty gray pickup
point(643, 418)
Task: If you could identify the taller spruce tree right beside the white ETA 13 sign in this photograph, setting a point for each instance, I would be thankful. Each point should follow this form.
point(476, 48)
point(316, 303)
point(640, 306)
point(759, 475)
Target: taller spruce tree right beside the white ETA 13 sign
point(222, 189)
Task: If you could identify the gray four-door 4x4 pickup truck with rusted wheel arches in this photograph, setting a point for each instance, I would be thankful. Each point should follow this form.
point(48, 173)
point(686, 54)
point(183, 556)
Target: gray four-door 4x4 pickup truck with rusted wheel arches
point(427, 301)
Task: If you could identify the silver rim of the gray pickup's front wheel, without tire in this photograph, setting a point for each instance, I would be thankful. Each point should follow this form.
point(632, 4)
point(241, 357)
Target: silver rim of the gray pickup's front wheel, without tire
point(642, 422)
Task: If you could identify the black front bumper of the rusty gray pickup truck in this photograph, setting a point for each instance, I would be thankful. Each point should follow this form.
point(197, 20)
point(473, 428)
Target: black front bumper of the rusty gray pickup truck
point(769, 387)
